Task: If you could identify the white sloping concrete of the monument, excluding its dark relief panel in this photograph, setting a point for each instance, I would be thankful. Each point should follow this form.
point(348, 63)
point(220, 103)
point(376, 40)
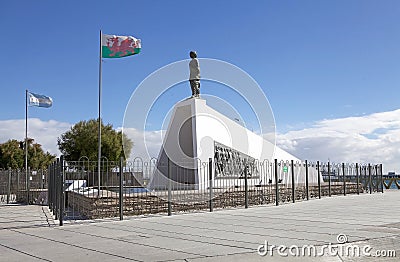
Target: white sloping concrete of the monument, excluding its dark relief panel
point(194, 130)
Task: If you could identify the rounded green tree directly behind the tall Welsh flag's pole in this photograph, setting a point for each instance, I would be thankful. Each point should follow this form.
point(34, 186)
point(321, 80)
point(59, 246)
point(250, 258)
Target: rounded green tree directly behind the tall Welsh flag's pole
point(82, 140)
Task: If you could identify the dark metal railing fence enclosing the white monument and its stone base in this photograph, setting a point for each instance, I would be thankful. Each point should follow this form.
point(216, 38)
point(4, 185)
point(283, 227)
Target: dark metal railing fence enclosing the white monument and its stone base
point(77, 190)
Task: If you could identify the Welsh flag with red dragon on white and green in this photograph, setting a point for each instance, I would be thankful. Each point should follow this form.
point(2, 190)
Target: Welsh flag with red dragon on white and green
point(114, 46)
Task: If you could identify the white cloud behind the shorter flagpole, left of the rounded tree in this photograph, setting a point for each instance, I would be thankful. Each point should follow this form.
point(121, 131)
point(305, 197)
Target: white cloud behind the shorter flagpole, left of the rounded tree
point(44, 132)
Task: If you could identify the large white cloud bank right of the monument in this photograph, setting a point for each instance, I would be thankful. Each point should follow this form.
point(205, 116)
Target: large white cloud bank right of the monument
point(371, 138)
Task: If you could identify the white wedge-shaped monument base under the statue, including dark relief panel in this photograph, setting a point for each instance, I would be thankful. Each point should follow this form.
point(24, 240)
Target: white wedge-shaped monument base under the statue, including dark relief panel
point(197, 134)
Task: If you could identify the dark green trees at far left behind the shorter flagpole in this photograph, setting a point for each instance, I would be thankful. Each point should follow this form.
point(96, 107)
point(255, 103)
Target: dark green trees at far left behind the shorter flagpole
point(12, 155)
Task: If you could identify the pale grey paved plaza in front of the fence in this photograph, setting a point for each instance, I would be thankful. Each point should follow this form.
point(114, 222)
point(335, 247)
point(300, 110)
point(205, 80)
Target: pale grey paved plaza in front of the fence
point(368, 222)
